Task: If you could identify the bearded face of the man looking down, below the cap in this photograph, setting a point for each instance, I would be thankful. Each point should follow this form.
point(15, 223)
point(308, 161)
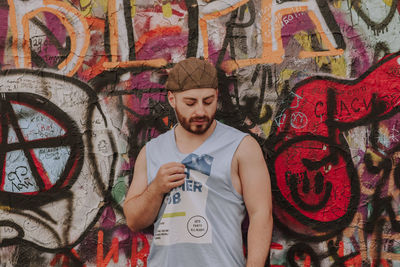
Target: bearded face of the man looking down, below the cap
point(195, 108)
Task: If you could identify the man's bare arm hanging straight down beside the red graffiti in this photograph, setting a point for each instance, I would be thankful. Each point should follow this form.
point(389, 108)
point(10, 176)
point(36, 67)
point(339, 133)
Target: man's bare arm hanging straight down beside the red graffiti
point(255, 180)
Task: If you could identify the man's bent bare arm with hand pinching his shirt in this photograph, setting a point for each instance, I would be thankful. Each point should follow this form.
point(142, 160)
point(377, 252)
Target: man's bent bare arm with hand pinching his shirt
point(143, 201)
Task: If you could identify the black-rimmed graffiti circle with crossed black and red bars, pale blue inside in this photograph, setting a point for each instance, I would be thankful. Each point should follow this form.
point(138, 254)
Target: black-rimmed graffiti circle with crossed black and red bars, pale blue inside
point(42, 148)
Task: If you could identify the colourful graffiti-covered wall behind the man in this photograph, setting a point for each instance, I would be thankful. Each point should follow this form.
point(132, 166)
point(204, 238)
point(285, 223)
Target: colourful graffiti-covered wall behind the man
point(316, 82)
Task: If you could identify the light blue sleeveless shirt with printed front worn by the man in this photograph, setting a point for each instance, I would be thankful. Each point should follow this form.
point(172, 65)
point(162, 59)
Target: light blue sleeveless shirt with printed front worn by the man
point(199, 222)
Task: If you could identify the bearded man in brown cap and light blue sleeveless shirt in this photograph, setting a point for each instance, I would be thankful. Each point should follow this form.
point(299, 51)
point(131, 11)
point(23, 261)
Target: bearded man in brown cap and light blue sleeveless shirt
point(196, 181)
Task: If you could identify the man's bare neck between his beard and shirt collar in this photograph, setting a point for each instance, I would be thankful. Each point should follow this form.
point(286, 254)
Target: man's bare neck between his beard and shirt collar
point(187, 142)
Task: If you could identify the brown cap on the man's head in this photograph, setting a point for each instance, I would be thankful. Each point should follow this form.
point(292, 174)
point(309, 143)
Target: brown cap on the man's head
point(192, 73)
